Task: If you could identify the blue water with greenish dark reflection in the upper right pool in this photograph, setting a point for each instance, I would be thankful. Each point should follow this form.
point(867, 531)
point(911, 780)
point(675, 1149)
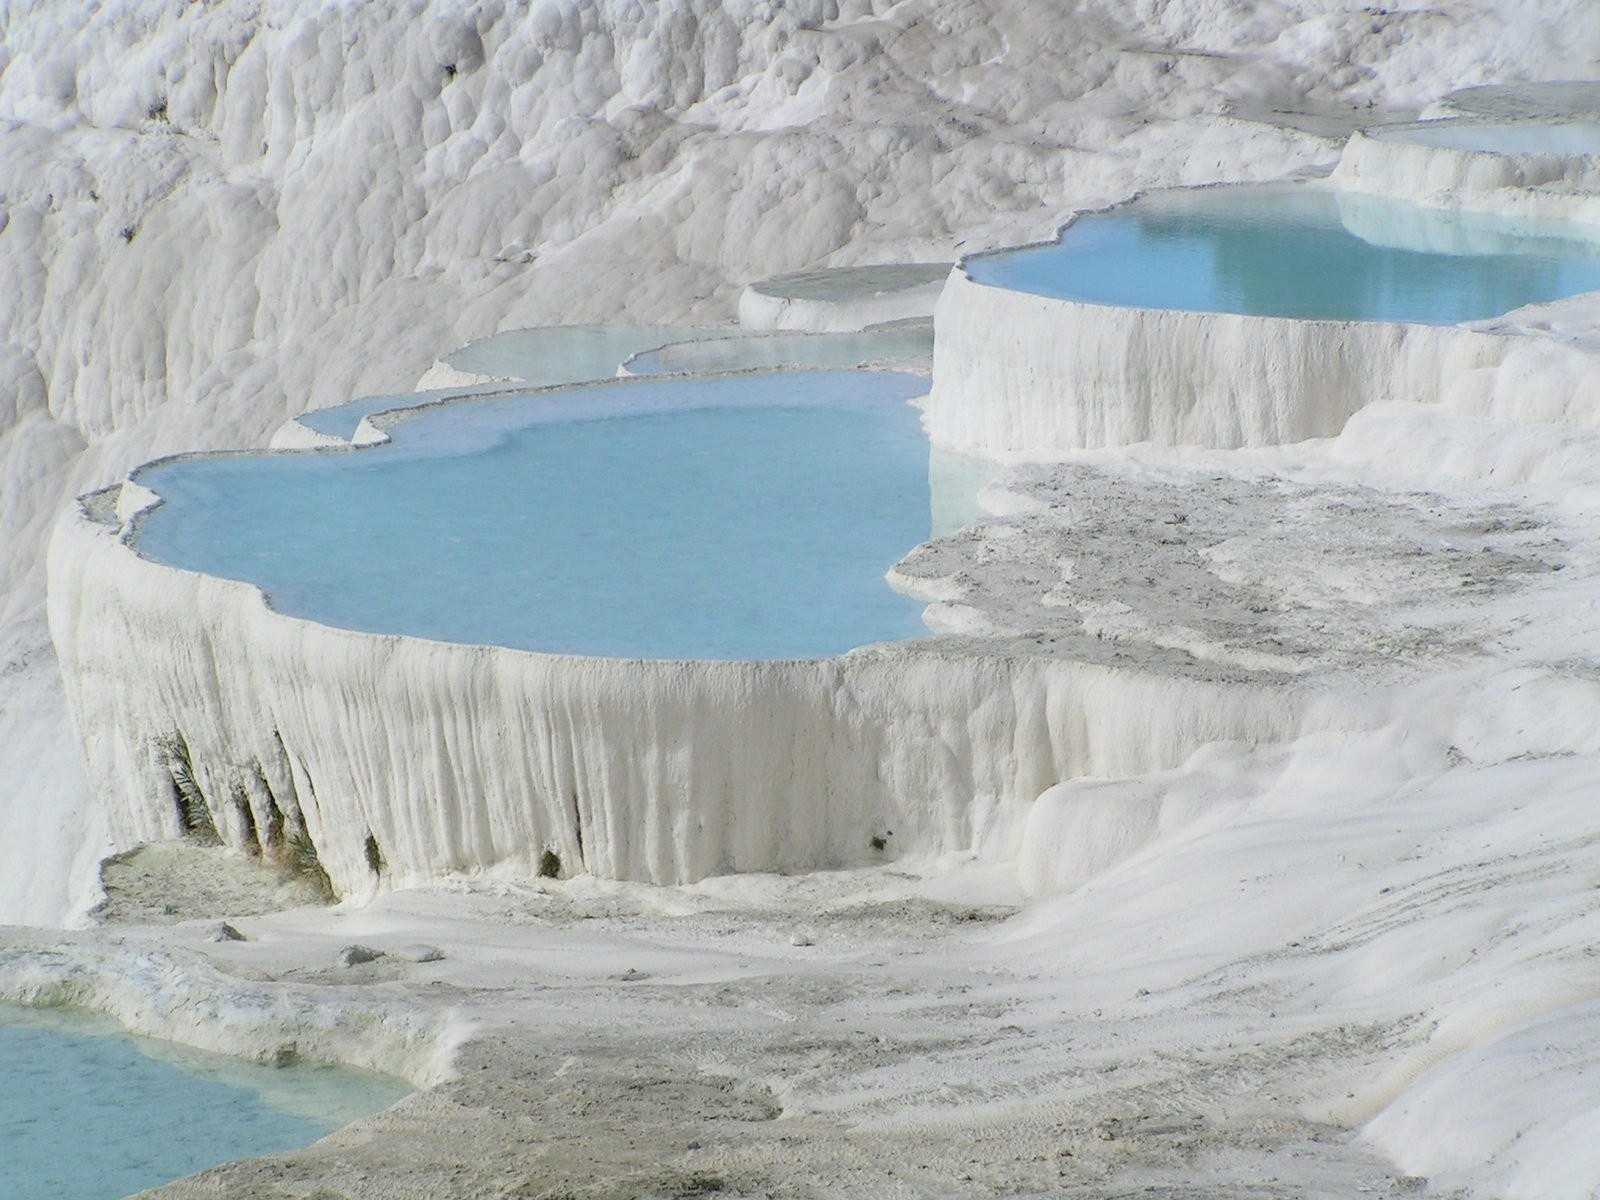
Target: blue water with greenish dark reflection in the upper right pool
point(1286, 250)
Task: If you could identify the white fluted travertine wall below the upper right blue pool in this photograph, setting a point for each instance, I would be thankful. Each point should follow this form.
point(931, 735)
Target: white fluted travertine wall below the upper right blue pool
point(1018, 374)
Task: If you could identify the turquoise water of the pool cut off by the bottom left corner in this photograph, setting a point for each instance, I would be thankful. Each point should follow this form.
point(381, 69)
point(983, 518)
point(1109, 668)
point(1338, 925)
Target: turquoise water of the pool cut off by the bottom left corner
point(86, 1116)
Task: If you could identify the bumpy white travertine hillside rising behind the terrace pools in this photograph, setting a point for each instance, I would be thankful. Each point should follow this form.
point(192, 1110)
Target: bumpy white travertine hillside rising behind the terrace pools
point(220, 217)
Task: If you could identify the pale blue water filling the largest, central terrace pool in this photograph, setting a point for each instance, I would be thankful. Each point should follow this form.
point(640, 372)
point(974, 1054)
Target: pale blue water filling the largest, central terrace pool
point(724, 519)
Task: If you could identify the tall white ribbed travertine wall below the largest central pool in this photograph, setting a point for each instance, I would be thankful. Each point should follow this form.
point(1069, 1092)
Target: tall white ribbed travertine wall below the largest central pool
point(458, 758)
